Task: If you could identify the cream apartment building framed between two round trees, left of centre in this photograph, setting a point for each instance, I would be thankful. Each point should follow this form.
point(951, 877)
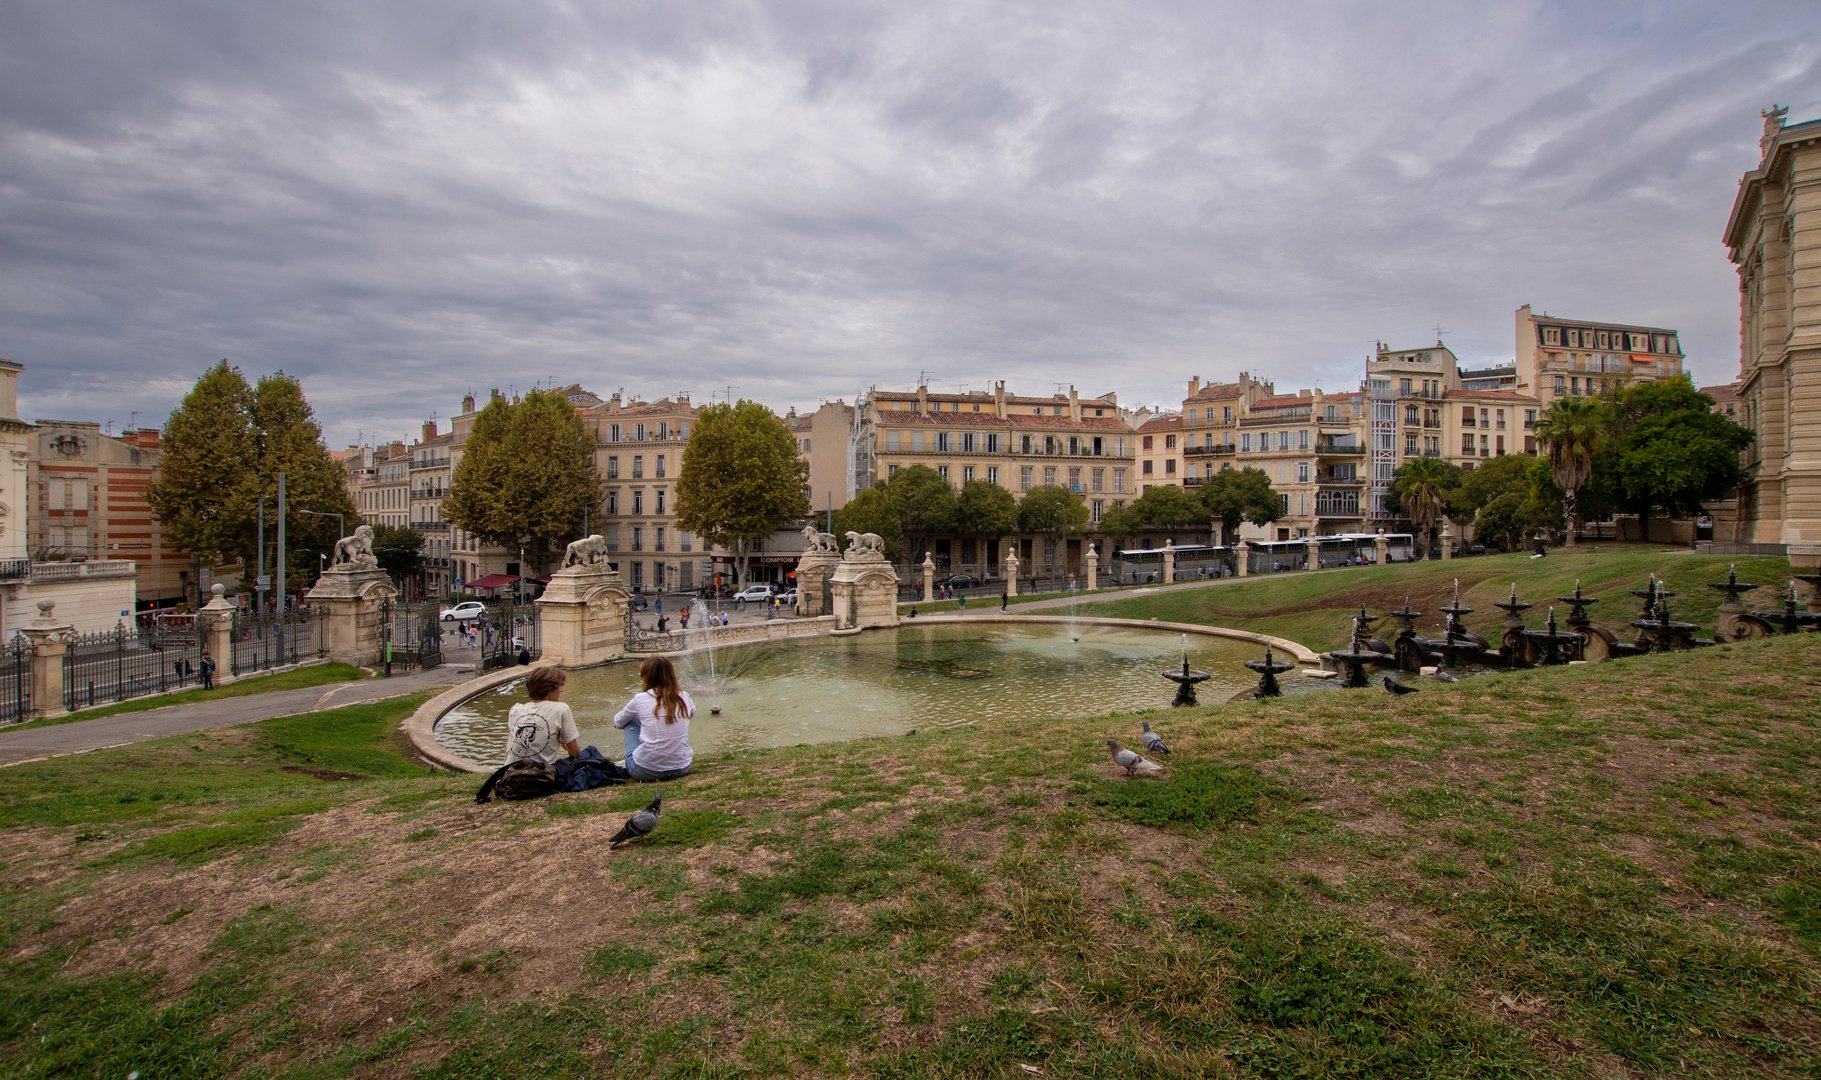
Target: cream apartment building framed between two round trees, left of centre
point(638, 458)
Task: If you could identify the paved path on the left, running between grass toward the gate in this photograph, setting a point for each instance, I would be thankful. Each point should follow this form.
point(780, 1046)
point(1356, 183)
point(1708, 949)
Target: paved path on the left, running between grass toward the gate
point(174, 720)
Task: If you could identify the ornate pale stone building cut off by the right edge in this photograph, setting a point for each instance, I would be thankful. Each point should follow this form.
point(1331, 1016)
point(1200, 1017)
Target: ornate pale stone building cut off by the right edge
point(1775, 241)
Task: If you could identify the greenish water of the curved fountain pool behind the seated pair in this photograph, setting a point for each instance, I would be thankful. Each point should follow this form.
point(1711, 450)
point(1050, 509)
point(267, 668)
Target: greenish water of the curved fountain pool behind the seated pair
point(882, 684)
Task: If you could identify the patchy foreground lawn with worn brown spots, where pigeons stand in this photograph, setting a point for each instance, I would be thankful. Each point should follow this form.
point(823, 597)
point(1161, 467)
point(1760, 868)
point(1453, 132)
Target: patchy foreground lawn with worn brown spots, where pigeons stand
point(1596, 871)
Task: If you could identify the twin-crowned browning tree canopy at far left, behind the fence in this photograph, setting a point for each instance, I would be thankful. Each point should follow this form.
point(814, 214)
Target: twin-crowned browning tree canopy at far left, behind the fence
point(225, 447)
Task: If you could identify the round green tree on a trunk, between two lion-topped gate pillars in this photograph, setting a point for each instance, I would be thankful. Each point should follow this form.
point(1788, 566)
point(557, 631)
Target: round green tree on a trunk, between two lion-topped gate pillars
point(742, 480)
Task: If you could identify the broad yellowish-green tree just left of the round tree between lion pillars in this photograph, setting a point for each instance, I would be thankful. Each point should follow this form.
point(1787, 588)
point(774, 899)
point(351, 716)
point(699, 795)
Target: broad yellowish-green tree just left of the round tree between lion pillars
point(525, 476)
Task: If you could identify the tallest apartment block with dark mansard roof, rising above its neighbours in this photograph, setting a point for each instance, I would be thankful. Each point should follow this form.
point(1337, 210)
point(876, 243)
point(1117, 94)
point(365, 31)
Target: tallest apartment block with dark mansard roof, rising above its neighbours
point(1571, 358)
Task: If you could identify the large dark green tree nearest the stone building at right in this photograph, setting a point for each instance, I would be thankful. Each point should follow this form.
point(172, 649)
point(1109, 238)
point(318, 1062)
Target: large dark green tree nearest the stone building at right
point(1669, 451)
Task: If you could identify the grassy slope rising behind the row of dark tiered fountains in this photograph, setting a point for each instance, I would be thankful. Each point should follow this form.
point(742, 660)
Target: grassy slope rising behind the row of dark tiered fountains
point(1314, 607)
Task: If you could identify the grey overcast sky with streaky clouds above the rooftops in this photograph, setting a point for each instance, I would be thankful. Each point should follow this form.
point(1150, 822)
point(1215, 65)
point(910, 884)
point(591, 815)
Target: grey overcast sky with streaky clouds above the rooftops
point(407, 201)
